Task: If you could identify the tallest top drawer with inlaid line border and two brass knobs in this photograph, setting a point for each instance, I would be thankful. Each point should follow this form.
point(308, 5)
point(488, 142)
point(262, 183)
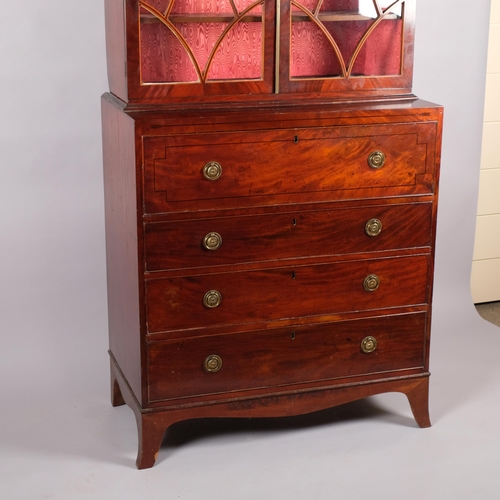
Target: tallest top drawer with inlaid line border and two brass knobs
point(239, 169)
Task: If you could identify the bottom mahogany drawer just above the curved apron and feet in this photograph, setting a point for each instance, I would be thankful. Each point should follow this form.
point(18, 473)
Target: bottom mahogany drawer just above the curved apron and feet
point(252, 360)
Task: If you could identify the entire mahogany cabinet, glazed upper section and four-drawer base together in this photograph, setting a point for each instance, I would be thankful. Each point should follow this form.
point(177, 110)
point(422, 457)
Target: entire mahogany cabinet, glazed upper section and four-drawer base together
point(270, 241)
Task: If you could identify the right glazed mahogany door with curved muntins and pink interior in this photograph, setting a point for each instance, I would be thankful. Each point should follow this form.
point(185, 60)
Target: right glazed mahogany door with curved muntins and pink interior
point(346, 45)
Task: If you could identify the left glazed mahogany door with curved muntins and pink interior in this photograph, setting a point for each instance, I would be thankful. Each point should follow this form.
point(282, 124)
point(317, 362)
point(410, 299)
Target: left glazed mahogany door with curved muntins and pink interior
point(204, 47)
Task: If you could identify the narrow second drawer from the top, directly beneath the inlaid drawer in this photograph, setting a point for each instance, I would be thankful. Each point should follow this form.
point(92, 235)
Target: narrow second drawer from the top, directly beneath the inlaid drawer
point(236, 240)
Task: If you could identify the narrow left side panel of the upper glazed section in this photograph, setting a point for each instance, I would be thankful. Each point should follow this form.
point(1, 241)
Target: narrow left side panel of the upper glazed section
point(114, 11)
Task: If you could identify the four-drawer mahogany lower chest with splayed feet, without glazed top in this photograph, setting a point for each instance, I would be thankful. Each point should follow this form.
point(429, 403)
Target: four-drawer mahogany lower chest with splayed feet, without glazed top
point(268, 261)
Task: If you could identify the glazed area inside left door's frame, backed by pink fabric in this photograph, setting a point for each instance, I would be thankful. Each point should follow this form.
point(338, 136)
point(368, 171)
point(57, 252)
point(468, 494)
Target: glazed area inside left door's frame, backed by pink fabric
point(179, 47)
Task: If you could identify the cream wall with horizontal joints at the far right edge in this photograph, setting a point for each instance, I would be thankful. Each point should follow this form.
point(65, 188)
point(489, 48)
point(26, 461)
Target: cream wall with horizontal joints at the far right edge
point(485, 277)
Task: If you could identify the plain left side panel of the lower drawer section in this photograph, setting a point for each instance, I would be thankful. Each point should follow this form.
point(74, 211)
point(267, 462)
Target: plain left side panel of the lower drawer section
point(121, 243)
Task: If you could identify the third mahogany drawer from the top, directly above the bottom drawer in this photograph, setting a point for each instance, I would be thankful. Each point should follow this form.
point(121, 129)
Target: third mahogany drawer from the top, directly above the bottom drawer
point(210, 300)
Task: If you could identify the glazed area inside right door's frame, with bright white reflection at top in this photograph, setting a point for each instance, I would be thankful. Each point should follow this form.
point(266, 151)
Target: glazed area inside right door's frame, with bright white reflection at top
point(366, 33)
